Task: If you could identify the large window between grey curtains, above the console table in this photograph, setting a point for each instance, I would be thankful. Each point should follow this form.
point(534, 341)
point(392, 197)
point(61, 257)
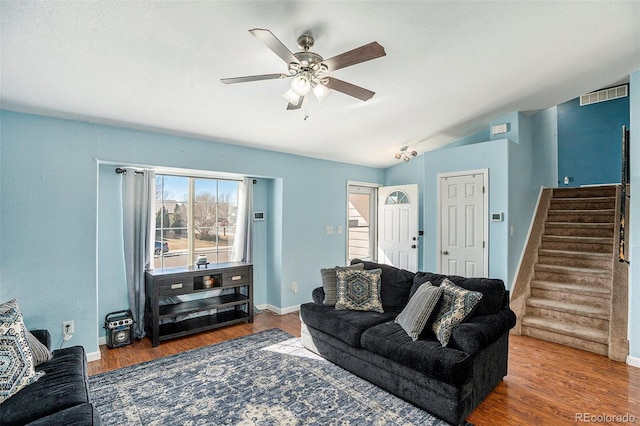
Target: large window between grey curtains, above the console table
point(194, 216)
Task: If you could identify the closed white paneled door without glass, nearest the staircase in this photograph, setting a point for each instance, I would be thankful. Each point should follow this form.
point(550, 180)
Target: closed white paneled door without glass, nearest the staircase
point(462, 224)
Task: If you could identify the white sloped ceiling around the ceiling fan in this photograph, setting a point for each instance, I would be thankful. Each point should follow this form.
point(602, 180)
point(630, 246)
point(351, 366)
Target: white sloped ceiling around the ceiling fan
point(450, 68)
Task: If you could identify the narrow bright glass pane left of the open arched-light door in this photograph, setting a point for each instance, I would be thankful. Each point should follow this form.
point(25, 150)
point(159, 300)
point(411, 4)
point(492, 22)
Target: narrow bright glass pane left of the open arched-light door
point(362, 223)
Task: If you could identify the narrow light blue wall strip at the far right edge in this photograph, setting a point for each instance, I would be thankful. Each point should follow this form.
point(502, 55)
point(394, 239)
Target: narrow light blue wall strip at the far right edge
point(634, 220)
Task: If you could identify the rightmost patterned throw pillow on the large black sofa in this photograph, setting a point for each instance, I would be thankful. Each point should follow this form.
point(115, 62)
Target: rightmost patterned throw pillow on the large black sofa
point(457, 304)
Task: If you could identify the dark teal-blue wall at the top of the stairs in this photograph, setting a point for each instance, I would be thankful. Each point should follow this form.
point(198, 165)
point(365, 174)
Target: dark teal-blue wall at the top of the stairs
point(589, 148)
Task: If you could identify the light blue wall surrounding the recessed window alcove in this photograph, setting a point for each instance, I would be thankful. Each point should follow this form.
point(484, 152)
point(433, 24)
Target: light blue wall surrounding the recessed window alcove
point(58, 251)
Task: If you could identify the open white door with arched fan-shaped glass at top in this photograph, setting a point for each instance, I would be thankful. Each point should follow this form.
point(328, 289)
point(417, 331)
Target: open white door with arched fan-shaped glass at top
point(398, 226)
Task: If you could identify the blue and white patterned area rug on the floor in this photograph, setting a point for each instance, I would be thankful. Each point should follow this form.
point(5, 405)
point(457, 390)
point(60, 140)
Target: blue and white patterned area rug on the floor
point(266, 378)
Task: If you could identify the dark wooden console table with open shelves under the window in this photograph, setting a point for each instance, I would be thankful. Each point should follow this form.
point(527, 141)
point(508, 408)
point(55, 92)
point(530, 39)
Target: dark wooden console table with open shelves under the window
point(168, 315)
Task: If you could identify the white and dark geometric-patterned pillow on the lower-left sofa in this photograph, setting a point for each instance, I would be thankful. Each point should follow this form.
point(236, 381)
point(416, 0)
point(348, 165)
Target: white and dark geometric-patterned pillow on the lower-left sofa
point(16, 361)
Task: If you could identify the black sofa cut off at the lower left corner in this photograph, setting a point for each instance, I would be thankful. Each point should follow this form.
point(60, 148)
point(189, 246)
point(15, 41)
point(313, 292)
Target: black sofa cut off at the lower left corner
point(60, 397)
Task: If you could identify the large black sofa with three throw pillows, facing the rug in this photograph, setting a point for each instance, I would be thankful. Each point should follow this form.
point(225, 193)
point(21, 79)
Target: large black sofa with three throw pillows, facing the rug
point(448, 382)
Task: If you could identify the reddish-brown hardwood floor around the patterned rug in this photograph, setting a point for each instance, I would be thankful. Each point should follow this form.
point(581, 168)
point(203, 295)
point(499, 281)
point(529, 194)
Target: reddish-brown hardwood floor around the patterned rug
point(547, 384)
